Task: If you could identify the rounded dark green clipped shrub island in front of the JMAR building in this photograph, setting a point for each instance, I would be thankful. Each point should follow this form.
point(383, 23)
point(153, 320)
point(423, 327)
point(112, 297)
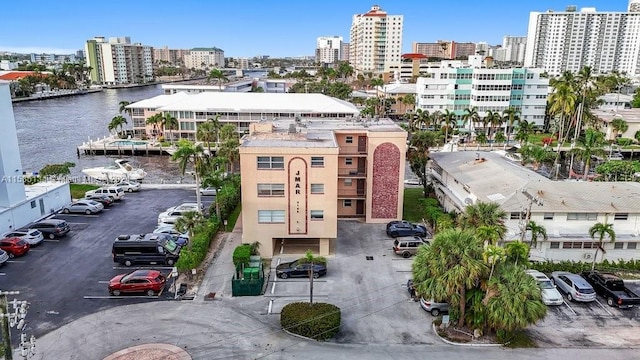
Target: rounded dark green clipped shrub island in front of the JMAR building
point(319, 321)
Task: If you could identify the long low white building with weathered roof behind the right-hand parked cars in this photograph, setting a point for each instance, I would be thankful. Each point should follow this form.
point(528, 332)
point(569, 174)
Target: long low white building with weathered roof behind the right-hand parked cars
point(566, 209)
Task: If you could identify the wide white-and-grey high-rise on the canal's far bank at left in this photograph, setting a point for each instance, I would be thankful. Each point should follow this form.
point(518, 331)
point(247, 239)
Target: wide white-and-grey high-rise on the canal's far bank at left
point(117, 61)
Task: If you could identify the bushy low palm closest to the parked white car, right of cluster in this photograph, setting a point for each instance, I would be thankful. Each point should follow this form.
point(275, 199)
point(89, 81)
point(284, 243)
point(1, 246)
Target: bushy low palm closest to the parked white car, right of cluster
point(513, 301)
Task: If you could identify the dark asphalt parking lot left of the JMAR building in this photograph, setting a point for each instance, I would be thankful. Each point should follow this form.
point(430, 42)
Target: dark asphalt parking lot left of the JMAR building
point(64, 279)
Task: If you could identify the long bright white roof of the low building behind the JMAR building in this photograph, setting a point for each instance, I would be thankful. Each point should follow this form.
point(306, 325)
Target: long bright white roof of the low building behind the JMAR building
point(249, 103)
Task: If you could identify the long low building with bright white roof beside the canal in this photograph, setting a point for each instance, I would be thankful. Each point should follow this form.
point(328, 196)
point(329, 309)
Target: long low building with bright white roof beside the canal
point(236, 108)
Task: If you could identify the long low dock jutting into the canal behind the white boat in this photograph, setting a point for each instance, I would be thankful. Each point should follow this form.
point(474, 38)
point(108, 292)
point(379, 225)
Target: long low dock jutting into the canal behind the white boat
point(115, 146)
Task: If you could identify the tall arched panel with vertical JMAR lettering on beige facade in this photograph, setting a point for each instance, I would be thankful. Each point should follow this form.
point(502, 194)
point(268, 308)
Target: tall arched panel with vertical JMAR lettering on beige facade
point(297, 196)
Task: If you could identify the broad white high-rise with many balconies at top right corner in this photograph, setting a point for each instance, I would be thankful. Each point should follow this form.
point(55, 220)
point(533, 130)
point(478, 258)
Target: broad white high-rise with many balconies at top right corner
point(568, 40)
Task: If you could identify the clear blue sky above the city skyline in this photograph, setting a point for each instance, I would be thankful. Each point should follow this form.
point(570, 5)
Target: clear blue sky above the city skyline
point(257, 27)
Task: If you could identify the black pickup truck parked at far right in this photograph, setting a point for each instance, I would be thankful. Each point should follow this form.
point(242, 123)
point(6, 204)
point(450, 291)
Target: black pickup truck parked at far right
point(611, 288)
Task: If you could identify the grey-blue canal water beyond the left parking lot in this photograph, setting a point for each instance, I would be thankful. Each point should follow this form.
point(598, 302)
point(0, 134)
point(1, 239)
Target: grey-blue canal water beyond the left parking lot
point(50, 130)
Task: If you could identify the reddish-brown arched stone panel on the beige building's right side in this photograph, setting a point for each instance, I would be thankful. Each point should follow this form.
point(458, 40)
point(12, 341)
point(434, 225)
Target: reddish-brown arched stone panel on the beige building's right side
point(386, 172)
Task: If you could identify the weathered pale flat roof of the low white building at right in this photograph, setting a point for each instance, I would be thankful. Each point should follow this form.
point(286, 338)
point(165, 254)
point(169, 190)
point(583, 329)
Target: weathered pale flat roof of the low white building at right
point(493, 178)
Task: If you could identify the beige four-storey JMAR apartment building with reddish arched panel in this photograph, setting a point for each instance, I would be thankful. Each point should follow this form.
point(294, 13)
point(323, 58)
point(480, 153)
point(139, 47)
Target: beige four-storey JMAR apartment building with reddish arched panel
point(299, 177)
